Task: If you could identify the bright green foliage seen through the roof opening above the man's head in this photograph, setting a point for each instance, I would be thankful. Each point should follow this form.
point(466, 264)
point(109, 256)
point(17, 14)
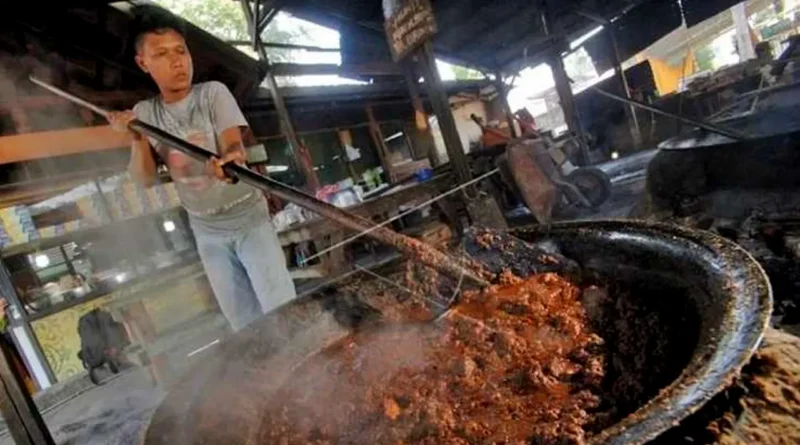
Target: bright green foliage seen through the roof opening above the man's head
point(225, 20)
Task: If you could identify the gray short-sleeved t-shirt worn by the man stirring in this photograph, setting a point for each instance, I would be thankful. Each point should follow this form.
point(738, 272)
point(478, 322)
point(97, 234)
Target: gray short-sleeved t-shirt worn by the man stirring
point(200, 118)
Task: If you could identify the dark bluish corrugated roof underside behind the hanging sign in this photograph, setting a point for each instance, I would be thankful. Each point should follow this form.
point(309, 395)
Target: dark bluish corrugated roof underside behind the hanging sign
point(508, 34)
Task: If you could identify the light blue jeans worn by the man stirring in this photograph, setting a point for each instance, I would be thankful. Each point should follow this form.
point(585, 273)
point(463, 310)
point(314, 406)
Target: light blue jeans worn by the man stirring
point(247, 271)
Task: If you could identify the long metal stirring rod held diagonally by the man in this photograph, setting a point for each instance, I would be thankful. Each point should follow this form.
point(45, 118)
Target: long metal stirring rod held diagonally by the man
point(410, 247)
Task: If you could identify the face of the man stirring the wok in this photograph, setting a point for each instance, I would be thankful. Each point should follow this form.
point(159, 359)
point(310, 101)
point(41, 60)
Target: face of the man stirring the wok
point(166, 58)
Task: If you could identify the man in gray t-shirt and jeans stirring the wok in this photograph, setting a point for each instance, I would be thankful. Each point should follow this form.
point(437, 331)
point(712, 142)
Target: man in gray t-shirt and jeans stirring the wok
point(237, 243)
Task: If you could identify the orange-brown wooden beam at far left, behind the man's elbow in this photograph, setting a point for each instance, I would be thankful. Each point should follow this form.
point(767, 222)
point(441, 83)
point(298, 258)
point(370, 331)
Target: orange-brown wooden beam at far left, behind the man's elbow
point(29, 146)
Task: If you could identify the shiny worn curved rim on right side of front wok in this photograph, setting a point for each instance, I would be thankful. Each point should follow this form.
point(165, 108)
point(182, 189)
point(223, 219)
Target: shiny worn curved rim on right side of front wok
point(692, 390)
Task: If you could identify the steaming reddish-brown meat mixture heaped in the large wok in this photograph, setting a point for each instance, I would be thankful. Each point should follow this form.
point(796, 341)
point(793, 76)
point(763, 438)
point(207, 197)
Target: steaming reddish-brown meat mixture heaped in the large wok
point(516, 364)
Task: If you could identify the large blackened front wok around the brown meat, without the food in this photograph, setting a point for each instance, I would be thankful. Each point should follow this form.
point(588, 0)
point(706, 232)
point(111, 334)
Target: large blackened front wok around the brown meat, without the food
point(709, 297)
